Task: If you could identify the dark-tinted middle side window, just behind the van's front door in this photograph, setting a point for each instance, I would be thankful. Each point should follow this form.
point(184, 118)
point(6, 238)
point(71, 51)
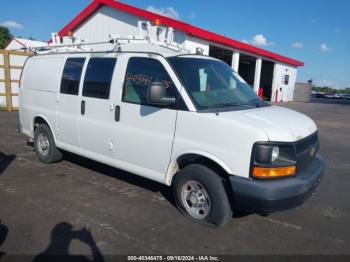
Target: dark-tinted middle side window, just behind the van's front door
point(98, 77)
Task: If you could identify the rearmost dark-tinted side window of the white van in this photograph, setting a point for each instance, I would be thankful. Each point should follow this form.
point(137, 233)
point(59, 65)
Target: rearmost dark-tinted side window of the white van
point(71, 76)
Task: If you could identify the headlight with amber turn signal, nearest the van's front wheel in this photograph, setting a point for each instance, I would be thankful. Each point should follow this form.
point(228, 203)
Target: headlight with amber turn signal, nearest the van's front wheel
point(273, 160)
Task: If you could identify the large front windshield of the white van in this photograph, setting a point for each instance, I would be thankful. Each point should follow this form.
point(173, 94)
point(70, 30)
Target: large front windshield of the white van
point(212, 84)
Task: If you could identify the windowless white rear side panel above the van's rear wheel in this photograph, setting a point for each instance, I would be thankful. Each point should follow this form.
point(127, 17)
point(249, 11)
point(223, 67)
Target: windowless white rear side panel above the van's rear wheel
point(40, 85)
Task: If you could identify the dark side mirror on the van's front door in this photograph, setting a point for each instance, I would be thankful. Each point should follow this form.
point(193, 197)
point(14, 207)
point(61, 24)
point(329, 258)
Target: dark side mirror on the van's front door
point(157, 95)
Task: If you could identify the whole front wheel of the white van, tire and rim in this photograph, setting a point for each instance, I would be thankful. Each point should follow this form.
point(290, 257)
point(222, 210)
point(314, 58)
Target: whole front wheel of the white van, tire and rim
point(200, 195)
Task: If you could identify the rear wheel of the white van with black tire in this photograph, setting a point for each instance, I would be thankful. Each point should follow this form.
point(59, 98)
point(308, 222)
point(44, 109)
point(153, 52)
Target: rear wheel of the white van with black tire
point(52, 154)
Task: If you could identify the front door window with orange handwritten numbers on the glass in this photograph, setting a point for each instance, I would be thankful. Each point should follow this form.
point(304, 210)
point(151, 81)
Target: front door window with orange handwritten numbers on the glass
point(140, 74)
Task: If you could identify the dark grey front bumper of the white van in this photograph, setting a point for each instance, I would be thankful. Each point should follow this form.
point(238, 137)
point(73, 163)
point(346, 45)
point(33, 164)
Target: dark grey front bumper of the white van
point(280, 194)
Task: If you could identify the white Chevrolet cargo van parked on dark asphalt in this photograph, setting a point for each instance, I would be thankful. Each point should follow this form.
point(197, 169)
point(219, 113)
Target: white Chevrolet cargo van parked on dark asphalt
point(184, 120)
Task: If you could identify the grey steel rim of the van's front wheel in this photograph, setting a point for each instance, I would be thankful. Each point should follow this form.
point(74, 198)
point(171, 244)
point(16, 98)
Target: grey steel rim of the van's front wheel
point(196, 199)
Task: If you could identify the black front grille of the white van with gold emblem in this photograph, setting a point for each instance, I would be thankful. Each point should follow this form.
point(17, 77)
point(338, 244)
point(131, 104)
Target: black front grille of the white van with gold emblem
point(306, 150)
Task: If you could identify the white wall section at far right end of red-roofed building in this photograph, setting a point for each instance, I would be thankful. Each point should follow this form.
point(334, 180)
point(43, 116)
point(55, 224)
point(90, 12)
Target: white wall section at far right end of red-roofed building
point(285, 92)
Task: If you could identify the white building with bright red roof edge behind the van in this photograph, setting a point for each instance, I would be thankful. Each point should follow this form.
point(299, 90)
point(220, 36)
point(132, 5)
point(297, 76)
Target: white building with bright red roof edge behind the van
point(272, 75)
